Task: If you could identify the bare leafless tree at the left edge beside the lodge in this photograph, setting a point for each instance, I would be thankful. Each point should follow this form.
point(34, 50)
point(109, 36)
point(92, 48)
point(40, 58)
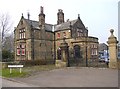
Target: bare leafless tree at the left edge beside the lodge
point(6, 39)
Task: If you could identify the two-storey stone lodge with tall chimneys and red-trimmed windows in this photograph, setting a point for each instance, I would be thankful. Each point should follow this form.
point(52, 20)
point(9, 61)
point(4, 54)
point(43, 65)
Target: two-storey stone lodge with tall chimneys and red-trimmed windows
point(37, 40)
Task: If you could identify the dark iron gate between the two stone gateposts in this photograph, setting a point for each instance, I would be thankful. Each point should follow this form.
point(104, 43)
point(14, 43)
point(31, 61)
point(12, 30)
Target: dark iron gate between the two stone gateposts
point(77, 58)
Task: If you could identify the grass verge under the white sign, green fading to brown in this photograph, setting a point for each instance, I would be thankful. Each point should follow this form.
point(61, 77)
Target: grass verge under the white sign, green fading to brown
point(26, 71)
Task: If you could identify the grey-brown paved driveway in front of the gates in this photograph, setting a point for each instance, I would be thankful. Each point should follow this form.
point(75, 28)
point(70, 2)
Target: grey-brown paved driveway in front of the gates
point(73, 77)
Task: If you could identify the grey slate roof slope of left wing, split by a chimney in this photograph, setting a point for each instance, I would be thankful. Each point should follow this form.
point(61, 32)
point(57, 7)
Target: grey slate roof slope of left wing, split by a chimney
point(35, 24)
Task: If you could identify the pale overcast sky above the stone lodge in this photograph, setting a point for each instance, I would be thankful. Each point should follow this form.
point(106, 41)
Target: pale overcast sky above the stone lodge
point(98, 15)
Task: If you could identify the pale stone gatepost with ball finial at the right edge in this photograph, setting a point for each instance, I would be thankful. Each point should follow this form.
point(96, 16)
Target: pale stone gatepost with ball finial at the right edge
point(112, 46)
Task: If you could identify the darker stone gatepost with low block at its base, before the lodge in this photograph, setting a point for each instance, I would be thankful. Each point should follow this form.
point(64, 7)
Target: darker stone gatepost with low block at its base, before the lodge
point(64, 62)
